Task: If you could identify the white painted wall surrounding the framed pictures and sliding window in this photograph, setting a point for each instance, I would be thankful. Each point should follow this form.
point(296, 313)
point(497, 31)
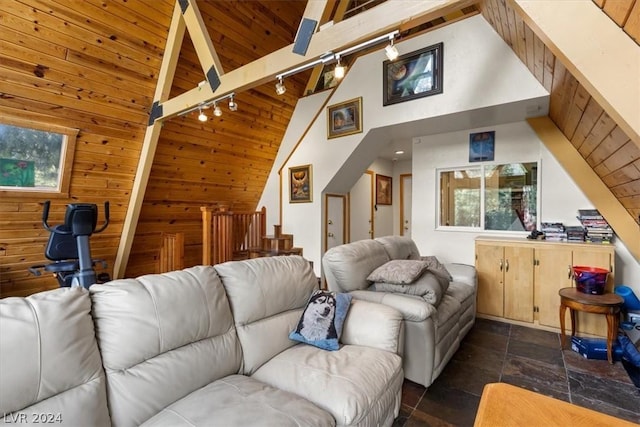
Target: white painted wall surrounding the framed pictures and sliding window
point(486, 87)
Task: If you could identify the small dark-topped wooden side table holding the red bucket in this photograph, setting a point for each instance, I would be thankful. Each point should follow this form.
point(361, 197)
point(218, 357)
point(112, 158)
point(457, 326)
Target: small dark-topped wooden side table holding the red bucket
point(608, 304)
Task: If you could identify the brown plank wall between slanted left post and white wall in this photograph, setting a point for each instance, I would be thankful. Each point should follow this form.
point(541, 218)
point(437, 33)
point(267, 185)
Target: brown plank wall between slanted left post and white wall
point(225, 161)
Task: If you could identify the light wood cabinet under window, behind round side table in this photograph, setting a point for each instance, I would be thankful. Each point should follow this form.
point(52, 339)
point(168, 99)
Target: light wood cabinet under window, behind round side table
point(519, 279)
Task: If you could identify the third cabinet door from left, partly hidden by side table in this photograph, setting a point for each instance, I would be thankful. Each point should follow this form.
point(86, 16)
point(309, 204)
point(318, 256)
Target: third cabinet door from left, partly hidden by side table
point(552, 273)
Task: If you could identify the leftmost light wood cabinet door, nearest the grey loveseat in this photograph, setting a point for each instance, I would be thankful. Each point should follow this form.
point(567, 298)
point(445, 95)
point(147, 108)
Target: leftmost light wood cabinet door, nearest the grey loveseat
point(489, 267)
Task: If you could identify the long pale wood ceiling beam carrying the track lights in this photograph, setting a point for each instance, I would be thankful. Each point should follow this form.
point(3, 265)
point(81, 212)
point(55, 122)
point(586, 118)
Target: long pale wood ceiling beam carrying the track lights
point(364, 26)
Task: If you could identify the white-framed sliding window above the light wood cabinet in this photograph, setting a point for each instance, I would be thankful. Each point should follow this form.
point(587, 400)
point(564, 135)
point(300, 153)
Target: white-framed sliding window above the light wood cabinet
point(500, 197)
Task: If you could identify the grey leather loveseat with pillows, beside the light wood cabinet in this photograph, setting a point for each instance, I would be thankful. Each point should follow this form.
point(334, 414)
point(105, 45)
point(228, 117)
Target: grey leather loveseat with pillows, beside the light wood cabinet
point(433, 330)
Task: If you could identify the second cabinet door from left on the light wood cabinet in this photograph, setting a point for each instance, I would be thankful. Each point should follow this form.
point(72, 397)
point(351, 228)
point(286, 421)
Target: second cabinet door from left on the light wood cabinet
point(518, 283)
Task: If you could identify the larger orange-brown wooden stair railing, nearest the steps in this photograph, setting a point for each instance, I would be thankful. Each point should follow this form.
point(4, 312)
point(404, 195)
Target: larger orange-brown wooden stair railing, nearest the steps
point(230, 235)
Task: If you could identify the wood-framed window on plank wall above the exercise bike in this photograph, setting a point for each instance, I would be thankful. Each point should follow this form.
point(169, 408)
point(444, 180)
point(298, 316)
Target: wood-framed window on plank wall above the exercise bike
point(35, 158)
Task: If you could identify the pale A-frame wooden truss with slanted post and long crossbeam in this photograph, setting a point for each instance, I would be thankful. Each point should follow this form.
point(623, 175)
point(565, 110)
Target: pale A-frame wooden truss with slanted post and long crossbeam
point(386, 17)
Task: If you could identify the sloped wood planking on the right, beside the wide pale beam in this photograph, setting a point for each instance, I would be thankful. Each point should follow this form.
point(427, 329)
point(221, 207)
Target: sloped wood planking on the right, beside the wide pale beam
point(600, 141)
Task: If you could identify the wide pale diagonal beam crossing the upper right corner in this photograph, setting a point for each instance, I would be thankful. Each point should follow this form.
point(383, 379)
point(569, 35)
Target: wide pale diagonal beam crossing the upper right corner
point(595, 50)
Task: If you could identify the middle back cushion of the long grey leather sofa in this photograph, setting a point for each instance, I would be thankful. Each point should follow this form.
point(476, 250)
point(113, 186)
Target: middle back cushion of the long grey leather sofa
point(158, 335)
